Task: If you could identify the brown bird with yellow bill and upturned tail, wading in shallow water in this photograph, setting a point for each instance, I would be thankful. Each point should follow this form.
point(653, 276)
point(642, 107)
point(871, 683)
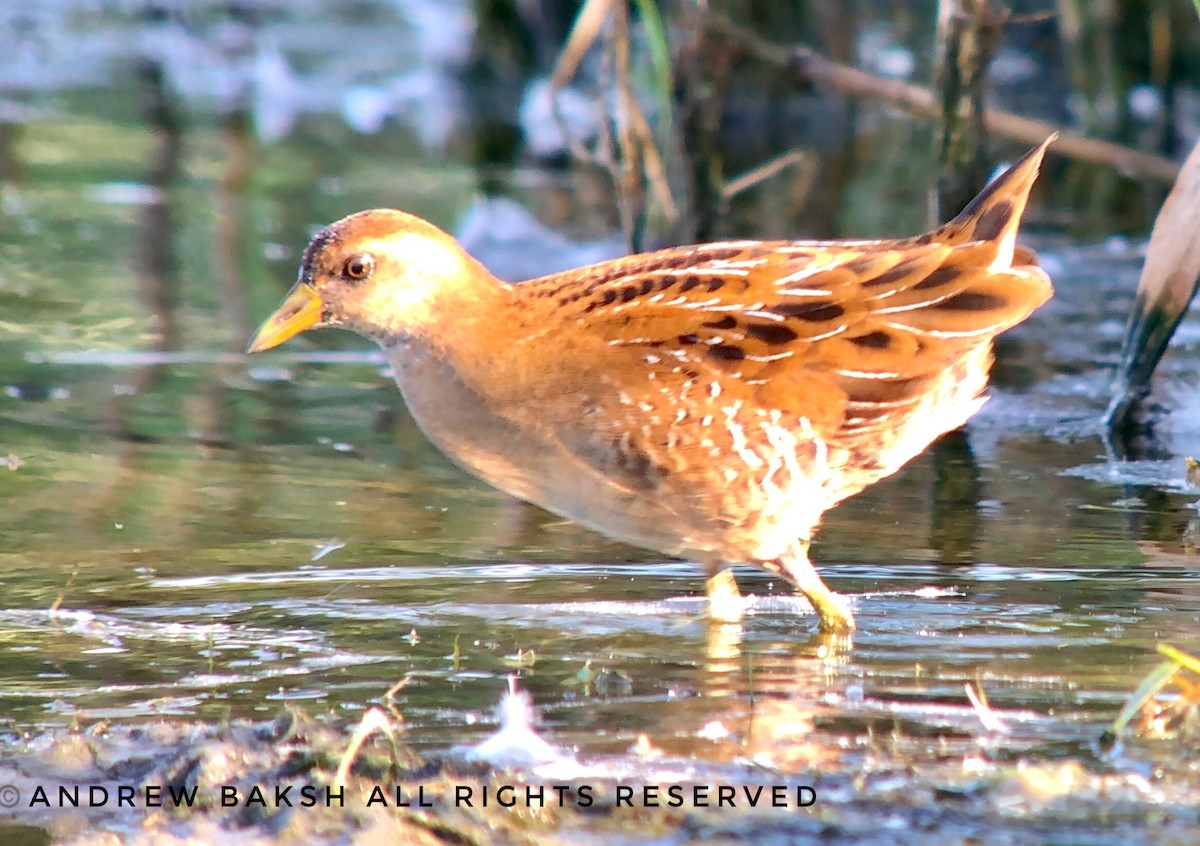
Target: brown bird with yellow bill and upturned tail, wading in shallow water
point(710, 403)
